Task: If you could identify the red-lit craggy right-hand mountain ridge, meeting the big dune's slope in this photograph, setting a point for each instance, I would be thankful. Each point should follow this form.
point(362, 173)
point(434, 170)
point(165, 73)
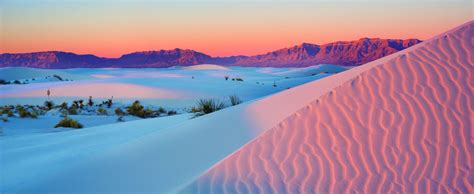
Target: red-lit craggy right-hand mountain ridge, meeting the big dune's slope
point(339, 53)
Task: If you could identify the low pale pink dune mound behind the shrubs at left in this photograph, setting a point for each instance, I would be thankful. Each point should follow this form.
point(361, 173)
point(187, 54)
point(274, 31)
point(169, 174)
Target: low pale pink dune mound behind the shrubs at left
point(98, 90)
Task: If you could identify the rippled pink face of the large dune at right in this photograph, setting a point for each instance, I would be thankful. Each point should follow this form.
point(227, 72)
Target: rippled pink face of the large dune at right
point(399, 124)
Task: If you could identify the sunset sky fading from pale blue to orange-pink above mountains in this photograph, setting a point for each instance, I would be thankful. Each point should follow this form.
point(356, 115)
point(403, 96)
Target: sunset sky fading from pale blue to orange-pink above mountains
point(111, 28)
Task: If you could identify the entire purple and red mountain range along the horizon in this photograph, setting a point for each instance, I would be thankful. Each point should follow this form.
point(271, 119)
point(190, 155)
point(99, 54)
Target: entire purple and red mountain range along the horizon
point(350, 53)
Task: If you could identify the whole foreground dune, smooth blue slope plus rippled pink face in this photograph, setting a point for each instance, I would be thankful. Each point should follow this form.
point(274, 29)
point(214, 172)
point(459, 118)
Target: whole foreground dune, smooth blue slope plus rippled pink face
point(371, 128)
